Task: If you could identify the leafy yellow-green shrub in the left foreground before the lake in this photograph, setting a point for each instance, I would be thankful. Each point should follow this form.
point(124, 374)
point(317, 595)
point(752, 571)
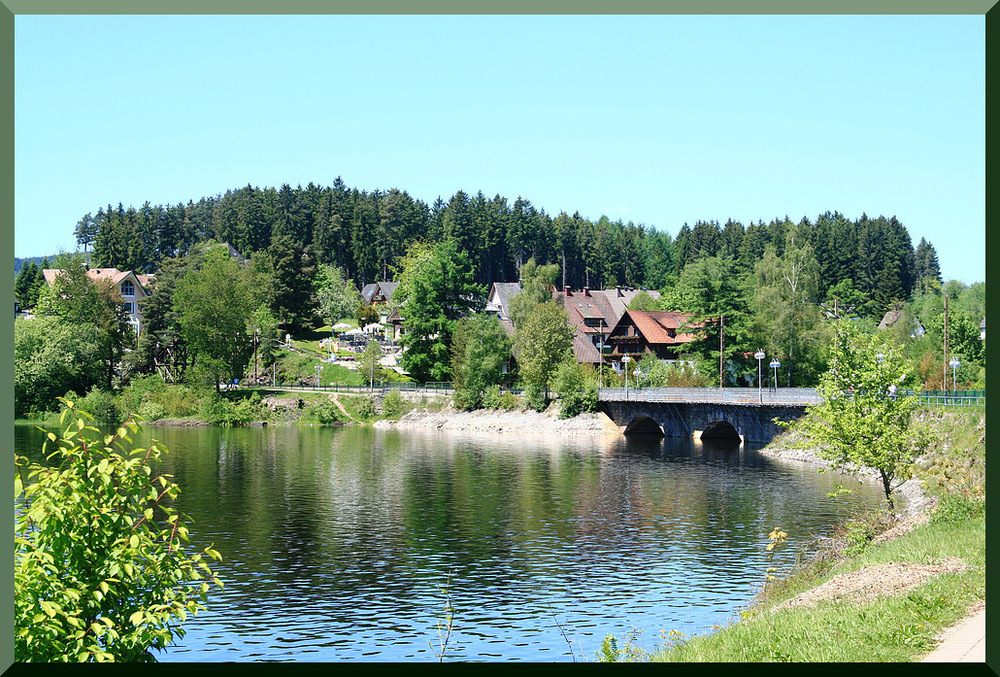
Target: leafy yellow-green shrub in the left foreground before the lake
point(101, 572)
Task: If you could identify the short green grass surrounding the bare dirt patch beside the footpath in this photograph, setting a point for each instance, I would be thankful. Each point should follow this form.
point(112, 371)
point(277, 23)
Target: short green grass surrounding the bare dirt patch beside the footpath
point(891, 629)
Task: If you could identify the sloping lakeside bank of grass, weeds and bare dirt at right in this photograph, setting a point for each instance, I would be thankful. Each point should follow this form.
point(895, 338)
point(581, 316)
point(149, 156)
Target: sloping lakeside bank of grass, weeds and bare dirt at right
point(870, 595)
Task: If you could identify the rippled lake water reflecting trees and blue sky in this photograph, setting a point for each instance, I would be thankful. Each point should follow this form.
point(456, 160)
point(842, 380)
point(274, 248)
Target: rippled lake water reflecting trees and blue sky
point(344, 543)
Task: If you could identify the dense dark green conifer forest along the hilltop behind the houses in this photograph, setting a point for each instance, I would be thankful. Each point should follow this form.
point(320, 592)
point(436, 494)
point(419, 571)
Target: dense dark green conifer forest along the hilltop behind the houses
point(367, 232)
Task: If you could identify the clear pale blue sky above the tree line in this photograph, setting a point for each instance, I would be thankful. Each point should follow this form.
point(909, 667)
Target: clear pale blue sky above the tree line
point(660, 120)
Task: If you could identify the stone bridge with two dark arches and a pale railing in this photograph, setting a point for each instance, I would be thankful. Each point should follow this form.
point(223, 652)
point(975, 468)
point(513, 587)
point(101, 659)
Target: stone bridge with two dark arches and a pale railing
point(734, 413)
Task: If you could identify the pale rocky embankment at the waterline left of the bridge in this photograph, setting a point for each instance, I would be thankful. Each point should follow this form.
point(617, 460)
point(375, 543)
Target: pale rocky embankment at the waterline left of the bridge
point(492, 422)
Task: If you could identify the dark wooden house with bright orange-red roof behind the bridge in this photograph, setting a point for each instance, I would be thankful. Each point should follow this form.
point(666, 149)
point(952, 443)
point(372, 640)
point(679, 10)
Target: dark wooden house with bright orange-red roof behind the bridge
point(645, 332)
